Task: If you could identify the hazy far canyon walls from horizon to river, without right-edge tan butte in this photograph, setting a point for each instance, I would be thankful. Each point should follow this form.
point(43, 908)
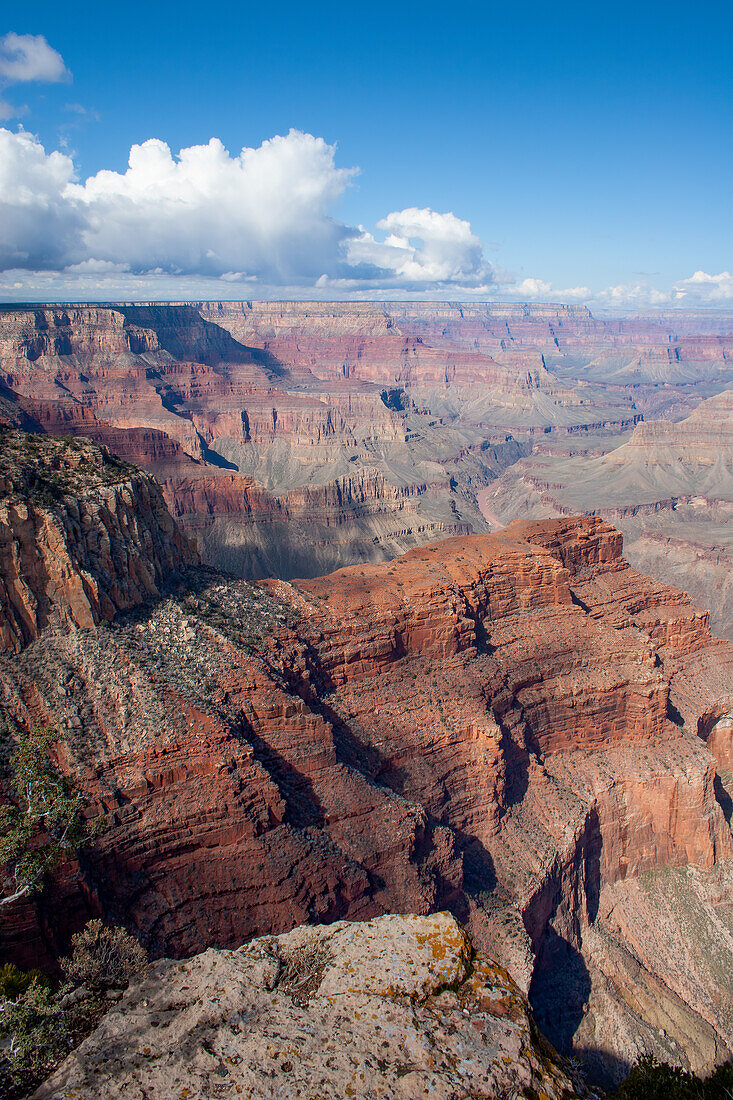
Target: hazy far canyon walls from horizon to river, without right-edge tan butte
point(432, 401)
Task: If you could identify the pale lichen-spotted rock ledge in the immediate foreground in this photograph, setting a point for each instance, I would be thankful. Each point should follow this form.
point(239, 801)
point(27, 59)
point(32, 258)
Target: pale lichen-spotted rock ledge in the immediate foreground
point(396, 1007)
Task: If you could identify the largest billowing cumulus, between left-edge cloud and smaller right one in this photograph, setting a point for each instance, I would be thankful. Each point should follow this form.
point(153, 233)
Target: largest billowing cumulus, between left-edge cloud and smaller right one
point(262, 213)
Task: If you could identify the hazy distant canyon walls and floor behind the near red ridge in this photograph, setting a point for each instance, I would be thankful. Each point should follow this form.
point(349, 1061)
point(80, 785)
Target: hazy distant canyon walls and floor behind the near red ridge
point(296, 438)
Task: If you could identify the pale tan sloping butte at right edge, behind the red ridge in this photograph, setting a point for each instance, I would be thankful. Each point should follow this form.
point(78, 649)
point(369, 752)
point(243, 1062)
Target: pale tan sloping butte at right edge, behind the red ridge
point(670, 489)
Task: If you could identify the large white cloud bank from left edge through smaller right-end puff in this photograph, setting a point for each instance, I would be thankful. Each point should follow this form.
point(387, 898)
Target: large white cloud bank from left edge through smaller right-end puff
point(261, 215)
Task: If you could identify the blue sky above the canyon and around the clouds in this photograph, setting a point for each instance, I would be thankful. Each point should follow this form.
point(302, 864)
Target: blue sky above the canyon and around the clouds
point(589, 147)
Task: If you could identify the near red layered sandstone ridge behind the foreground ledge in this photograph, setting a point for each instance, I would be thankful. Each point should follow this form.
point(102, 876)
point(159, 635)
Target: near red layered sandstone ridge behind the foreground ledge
point(515, 728)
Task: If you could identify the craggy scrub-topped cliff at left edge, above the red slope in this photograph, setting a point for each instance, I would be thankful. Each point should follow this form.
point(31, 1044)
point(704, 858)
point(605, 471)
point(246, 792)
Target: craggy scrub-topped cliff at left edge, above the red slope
point(82, 536)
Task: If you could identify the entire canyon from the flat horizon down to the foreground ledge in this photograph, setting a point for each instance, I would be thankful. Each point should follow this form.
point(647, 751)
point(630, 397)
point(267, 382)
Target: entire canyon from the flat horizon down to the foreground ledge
point(352, 610)
